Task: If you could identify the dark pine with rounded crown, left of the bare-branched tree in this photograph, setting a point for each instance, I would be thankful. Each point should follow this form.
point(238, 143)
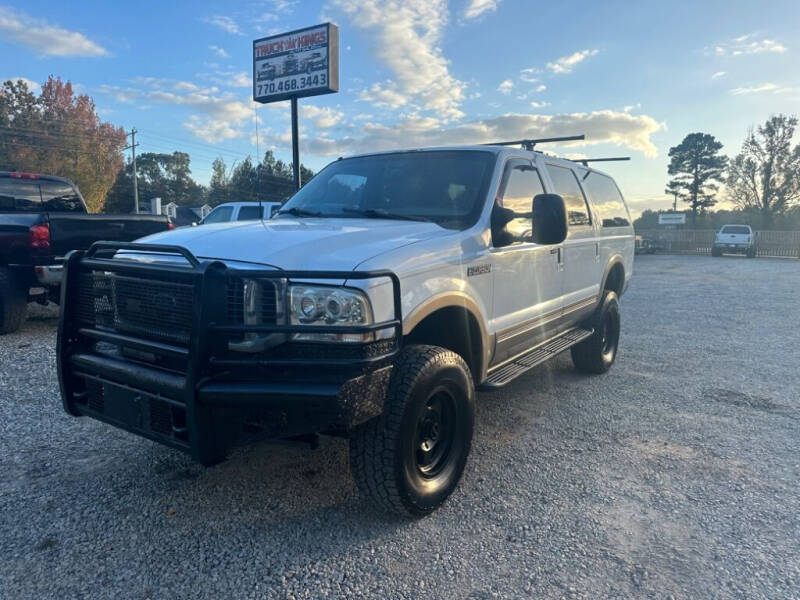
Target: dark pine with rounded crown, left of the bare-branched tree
point(697, 168)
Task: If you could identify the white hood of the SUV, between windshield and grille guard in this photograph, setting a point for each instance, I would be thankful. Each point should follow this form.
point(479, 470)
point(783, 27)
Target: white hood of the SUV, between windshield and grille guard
point(332, 244)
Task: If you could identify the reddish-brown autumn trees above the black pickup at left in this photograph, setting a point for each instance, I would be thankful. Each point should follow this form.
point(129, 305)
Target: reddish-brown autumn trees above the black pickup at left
point(60, 133)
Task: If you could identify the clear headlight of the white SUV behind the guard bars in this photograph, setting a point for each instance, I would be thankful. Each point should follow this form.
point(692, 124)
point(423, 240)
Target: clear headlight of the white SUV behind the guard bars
point(319, 305)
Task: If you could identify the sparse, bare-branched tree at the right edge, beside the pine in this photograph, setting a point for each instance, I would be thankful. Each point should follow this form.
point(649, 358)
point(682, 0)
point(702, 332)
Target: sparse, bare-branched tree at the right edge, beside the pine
point(765, 175)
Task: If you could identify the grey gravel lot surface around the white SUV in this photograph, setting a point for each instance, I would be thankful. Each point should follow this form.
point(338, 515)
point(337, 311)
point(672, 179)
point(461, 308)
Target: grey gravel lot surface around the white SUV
point(674, 475)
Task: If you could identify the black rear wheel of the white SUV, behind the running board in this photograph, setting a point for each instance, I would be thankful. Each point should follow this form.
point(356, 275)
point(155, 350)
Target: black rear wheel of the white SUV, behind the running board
point(596, 353)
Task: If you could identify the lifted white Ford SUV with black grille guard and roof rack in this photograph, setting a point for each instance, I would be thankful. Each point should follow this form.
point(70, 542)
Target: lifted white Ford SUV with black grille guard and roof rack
point(382, 295)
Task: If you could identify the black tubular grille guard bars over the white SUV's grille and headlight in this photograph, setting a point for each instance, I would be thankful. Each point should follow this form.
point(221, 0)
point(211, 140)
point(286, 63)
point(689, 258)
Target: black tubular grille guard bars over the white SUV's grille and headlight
point(209, 303)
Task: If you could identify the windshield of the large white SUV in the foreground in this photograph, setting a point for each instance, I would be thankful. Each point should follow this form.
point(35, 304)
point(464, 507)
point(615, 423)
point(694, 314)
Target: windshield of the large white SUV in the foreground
point(447, 187)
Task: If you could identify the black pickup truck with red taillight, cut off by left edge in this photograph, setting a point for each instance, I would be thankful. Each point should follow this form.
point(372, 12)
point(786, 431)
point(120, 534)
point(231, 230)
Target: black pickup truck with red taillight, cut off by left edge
point(43, 217)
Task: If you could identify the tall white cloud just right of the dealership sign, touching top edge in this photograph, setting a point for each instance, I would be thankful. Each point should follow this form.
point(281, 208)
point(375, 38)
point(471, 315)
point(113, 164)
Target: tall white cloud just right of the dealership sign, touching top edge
point(405, 35)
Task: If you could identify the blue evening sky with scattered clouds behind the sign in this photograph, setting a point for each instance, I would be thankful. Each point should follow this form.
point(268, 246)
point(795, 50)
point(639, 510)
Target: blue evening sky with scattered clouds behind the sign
point(634, 77)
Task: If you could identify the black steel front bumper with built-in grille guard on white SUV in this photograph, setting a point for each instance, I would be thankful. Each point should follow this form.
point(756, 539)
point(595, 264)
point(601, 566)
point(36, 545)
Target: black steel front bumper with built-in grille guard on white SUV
point(192, 408)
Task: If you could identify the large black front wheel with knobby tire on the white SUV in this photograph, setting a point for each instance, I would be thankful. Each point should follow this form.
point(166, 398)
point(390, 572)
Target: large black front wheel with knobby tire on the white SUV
point(410, 458)
